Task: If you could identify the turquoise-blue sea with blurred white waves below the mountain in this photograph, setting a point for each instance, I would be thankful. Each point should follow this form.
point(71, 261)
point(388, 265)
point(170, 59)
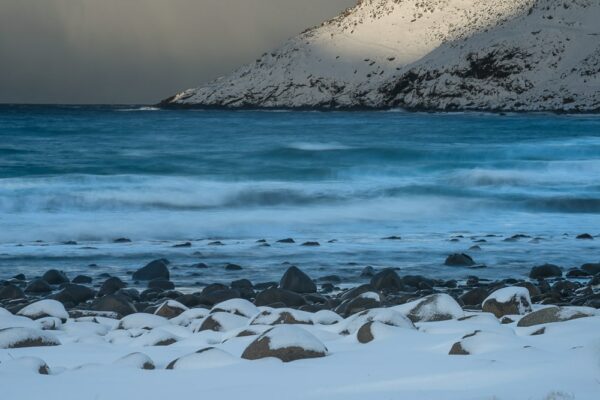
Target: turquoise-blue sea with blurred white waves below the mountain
point(93, 174)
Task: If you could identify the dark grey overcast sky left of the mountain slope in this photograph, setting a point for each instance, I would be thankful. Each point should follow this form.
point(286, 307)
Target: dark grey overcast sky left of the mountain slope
point(137, 51)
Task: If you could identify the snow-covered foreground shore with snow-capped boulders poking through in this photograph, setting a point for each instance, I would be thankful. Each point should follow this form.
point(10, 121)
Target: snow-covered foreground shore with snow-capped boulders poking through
point(427, 349)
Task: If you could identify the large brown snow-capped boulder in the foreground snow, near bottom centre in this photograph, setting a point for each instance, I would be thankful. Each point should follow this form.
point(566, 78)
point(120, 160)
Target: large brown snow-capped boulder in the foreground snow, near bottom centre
point(286, 342)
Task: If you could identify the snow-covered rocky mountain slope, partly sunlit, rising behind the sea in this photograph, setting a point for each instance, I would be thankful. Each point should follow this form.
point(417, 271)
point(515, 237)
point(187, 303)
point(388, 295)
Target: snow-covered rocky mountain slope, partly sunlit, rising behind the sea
point(427, 54)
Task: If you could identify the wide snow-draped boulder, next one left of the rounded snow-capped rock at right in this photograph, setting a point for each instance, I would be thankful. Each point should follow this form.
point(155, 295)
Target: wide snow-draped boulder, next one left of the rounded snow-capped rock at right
point(435, 307)
